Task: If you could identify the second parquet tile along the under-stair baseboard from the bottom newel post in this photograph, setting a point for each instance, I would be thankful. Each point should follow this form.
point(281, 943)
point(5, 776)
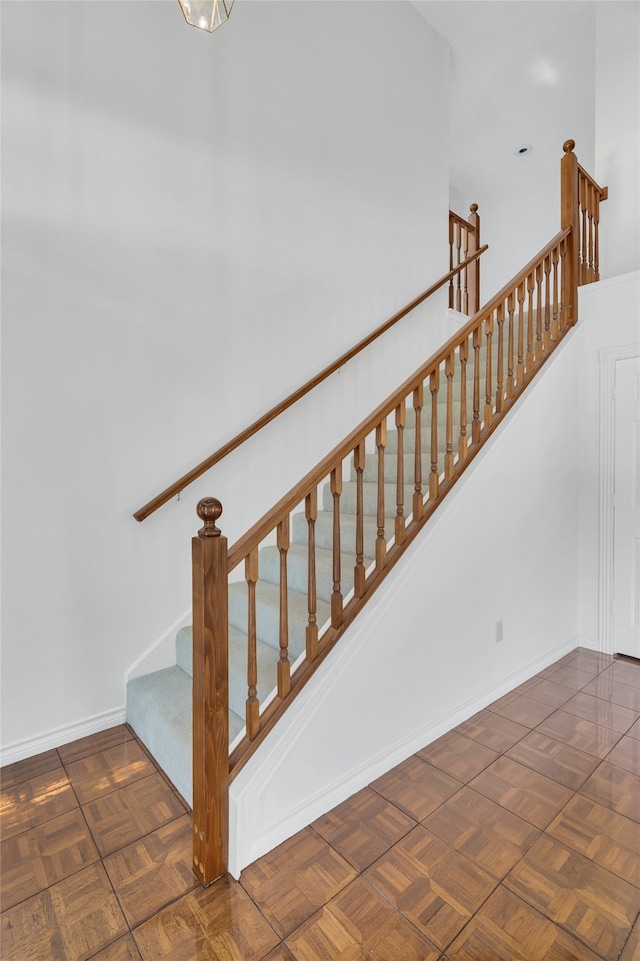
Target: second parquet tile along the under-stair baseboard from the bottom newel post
point(363, 827)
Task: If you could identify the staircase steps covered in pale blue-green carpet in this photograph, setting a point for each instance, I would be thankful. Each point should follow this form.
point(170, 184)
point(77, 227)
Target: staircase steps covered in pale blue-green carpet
point(159, 705)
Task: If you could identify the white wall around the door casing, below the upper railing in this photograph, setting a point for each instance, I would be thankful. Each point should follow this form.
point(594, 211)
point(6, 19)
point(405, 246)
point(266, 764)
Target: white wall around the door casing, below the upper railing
point(609, 317)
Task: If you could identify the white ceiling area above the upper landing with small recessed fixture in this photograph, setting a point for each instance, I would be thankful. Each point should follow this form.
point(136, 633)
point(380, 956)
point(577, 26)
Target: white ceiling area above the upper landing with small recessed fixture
point(522, 72)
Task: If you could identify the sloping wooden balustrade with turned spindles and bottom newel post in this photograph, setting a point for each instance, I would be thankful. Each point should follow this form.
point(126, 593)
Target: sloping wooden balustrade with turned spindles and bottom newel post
point(450, 407)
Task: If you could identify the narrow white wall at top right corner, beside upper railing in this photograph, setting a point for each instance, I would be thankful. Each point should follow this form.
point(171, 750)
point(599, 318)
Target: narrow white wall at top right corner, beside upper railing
point(618, 133)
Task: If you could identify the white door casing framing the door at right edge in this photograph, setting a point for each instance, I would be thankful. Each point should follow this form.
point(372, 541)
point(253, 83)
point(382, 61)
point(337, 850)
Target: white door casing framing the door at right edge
point(608, 357)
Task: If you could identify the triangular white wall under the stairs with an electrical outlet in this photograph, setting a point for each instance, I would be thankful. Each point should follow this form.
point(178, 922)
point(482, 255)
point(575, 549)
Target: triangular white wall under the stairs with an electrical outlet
point(423, 656)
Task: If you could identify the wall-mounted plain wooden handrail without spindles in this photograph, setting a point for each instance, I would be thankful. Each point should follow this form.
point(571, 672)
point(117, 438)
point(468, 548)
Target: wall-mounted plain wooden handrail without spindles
point(257, 425)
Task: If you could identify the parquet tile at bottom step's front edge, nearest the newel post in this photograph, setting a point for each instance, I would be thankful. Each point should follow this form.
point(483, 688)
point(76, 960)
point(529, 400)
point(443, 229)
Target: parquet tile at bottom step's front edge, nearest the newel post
point(123, 816)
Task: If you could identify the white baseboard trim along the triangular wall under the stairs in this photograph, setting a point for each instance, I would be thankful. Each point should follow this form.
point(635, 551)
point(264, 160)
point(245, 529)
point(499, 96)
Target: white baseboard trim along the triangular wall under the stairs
point(241, 854)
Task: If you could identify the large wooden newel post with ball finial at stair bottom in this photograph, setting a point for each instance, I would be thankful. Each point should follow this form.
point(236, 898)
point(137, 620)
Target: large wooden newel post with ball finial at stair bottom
point(210, 696)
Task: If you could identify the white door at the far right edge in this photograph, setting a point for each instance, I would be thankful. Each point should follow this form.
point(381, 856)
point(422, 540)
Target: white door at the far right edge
point(626, 558)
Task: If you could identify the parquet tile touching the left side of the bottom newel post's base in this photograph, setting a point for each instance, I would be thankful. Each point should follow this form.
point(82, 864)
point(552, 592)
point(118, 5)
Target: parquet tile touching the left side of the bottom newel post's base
point(154, 871)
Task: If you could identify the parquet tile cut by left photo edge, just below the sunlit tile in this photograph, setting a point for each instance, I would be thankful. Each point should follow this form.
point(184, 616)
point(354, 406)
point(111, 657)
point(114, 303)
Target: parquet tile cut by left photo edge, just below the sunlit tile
point(47, 853)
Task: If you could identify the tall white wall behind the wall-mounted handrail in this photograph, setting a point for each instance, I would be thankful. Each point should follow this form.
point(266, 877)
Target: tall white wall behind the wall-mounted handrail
point(192, 226)
